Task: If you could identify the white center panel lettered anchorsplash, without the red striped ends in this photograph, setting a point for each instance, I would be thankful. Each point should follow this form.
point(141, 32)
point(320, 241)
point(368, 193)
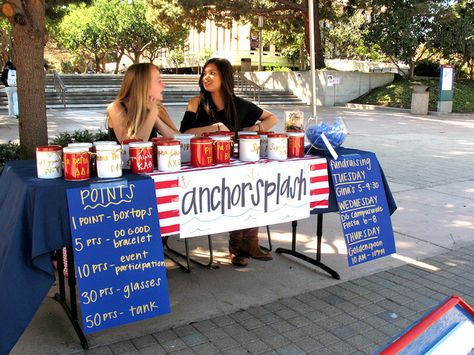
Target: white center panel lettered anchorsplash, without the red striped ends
point(247, 196)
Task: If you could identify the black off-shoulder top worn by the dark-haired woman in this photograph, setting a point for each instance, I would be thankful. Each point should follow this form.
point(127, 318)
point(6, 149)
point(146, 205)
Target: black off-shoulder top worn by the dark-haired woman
point(247, 114)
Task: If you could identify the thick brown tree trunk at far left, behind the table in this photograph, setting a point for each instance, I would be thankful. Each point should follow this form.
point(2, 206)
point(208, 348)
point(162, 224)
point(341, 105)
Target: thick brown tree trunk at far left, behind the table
point(28, 49)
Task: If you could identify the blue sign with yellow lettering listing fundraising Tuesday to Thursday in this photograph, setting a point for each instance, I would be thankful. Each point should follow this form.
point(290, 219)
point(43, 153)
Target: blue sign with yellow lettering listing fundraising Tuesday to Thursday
point(363, 207)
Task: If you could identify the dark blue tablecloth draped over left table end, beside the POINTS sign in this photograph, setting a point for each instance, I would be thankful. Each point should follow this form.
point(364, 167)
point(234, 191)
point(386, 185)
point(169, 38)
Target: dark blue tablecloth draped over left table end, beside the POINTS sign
point(34, 221)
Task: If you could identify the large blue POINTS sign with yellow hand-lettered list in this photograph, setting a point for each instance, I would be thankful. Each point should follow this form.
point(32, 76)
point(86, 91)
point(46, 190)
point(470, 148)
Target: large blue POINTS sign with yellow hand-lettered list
point(118, 253)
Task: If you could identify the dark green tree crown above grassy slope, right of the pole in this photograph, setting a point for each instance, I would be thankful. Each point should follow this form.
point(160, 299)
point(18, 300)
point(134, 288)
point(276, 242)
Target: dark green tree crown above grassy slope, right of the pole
point(403, 28)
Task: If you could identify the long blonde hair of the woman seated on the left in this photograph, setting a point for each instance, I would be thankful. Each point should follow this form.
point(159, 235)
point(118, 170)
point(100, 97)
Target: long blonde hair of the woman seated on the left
point(133, 95)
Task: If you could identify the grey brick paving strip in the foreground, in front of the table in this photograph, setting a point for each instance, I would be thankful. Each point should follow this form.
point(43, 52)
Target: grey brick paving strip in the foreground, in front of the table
point(353, 317)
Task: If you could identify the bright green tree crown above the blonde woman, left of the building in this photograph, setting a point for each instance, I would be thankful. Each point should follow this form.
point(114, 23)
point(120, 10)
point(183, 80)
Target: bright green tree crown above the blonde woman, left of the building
point(111, 27)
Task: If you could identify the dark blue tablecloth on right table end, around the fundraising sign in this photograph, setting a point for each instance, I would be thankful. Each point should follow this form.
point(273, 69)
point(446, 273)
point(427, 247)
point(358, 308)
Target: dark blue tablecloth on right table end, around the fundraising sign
point(341, 151)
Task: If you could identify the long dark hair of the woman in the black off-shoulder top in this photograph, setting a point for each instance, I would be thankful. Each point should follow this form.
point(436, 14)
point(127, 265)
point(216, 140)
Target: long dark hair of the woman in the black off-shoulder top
point(227, 90)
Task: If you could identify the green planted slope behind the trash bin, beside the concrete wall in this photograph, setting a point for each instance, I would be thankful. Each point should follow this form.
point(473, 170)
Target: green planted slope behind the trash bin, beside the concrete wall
point(398, 94)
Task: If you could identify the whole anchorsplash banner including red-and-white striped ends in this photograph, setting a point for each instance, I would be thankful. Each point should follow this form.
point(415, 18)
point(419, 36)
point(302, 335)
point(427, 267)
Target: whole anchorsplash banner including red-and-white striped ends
point(201, 201)
